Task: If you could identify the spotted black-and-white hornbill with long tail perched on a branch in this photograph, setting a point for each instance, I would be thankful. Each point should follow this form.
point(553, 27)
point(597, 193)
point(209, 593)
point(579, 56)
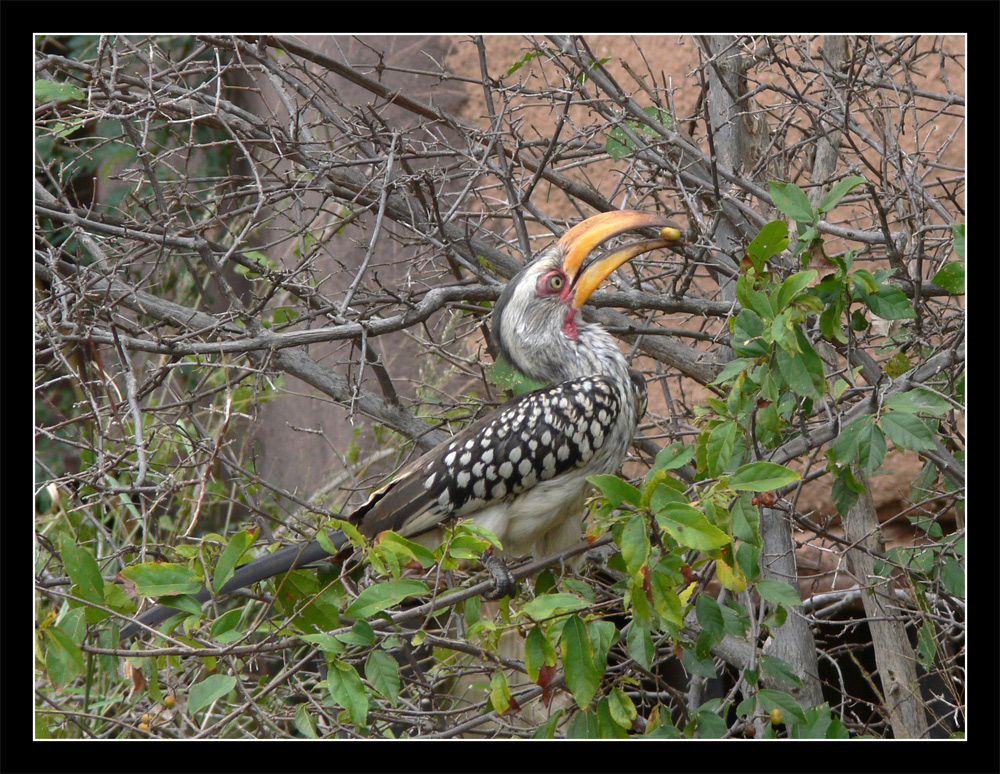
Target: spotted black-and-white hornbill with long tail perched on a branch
point(522, 470)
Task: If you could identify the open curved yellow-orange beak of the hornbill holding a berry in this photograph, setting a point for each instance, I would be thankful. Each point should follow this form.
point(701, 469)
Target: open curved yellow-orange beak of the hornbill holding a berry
point(580, 241)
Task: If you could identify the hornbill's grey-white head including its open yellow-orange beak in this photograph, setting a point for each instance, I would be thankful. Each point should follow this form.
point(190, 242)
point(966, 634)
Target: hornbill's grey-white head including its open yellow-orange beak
point(535, 323)
